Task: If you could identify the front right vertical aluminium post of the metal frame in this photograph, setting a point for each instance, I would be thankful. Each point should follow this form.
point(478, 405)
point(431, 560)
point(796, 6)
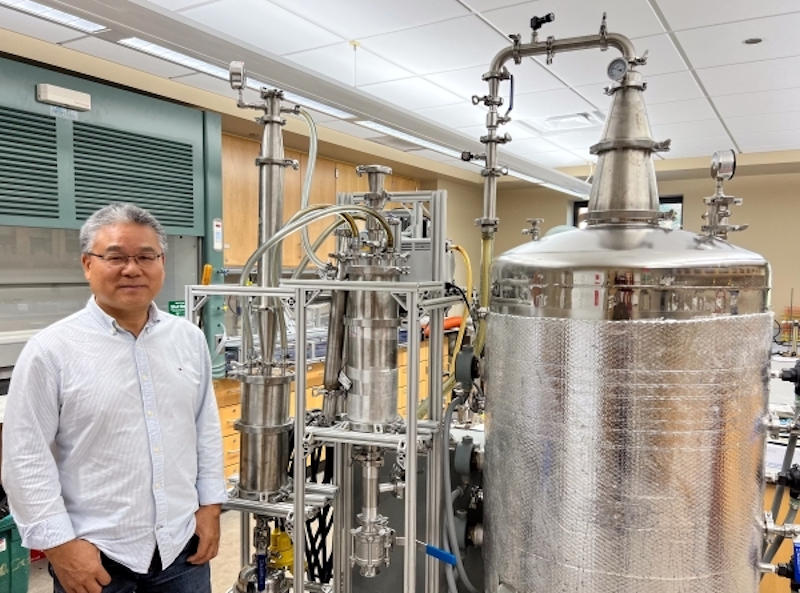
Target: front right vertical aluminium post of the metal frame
point(410, 552)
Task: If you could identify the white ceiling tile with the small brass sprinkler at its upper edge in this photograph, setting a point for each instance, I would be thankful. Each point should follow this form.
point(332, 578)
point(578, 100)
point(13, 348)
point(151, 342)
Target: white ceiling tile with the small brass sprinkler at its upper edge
point(352, 68)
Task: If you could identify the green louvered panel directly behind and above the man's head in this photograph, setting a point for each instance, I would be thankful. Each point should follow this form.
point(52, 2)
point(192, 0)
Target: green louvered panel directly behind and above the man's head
point(116, 166)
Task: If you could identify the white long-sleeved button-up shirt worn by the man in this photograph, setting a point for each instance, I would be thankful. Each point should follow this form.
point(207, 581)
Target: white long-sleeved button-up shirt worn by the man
point(112, 438)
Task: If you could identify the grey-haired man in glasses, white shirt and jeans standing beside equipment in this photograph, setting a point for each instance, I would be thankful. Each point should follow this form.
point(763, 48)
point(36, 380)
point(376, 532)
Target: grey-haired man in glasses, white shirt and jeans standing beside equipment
point(112, 449)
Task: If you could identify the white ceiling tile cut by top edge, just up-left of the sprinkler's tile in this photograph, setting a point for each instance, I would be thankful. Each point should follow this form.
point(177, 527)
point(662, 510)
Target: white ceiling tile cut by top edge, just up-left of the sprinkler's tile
point(262, 25)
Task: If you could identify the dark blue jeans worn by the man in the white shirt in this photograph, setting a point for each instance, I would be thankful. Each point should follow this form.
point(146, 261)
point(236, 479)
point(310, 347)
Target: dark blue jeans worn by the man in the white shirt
point(178, 577)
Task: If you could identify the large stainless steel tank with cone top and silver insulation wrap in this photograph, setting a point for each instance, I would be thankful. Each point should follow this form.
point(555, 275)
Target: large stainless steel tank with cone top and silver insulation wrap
point(626, 387)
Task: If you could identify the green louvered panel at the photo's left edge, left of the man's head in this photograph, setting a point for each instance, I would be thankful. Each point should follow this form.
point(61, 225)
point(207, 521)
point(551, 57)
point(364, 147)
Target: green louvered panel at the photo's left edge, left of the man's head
point(28, 164)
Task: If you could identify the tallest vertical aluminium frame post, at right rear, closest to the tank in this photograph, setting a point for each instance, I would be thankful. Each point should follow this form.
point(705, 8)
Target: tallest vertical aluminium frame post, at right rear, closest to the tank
point(434, 461)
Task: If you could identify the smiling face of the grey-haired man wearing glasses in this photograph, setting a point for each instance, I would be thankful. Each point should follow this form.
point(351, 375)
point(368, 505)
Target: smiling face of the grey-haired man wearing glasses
point(127, 288)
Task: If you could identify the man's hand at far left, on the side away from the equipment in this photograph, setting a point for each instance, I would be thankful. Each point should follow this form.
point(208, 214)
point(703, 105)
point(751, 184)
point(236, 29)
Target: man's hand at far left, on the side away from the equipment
point(77, 566)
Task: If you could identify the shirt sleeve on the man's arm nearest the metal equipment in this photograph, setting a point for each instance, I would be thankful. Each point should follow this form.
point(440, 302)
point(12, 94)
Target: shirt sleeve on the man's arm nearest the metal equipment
point(210, 471)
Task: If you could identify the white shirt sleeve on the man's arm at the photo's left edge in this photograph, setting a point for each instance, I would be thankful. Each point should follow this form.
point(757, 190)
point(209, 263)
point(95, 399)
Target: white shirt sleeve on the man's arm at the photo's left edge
point(30, 474)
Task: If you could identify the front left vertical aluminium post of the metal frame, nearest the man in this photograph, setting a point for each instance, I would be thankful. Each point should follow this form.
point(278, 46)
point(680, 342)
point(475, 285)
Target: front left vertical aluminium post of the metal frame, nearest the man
point(299, 434)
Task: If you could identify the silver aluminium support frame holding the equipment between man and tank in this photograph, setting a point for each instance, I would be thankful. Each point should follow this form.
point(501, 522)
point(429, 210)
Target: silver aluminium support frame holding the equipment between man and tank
point(307, 497)
